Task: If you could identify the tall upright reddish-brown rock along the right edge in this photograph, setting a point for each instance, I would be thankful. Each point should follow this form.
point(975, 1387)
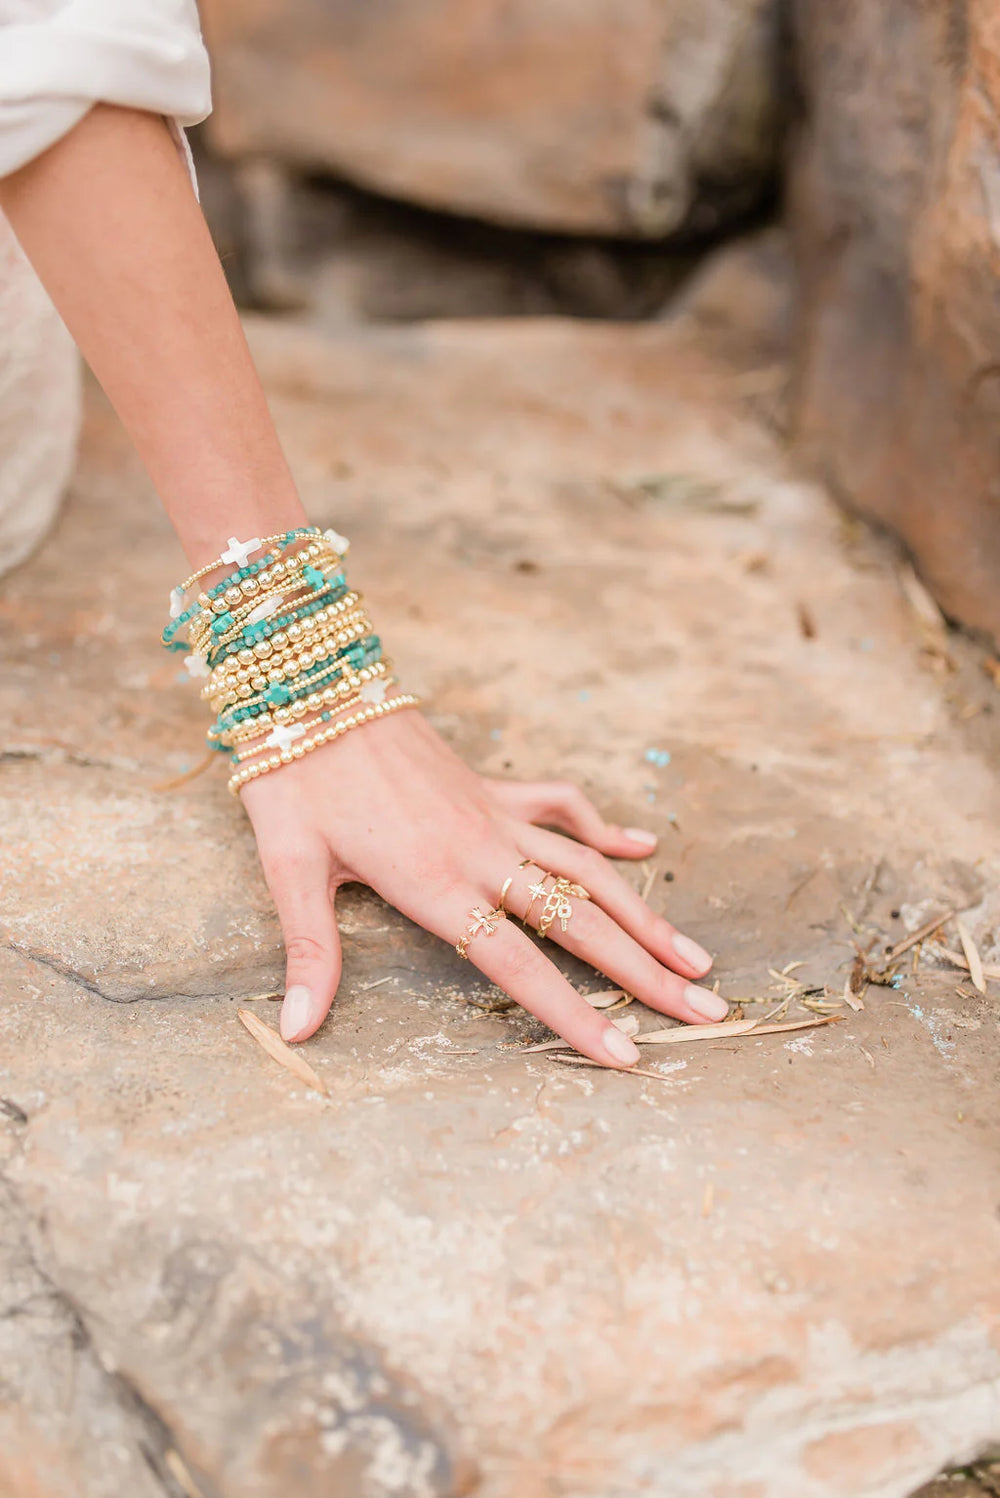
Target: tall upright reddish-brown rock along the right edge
point(896, 206)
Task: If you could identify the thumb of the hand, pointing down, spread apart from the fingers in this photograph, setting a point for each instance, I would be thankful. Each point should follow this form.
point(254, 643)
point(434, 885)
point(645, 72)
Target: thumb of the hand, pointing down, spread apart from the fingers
point(300, 882)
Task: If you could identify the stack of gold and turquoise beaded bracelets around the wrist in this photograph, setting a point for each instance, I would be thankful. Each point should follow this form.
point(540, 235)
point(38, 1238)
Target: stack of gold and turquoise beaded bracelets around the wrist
point(287, 652)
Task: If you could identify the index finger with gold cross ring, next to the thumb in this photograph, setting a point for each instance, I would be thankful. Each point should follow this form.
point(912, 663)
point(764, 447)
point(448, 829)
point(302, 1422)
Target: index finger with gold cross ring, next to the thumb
point(510, 959)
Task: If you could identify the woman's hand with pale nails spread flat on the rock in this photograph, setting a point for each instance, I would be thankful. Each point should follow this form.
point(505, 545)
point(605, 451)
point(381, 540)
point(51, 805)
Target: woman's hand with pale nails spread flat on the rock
point(391, 807)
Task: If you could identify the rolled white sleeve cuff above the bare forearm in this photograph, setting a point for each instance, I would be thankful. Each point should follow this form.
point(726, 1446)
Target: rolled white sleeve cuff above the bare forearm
point(59, 58)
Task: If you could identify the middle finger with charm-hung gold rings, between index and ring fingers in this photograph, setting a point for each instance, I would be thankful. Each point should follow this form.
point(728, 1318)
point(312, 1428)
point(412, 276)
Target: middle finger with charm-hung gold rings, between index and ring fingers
point(592, 936)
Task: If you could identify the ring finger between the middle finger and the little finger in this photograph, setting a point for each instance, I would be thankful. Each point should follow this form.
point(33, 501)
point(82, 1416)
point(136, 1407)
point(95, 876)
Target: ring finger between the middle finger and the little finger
point(619, 900)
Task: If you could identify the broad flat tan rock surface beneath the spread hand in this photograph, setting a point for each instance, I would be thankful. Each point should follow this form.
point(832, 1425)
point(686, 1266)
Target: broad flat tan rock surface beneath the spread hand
point(769, 1271)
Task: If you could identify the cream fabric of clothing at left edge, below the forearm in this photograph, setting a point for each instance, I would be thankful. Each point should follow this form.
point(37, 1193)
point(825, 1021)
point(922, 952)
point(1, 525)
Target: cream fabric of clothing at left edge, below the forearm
point(40, 405)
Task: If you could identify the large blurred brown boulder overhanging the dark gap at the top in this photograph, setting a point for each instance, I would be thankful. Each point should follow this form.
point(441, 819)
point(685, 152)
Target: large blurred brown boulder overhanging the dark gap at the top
point(600, 118)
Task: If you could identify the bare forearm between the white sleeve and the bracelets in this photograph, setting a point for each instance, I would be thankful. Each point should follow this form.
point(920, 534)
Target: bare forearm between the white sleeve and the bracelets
point(115, 231)
